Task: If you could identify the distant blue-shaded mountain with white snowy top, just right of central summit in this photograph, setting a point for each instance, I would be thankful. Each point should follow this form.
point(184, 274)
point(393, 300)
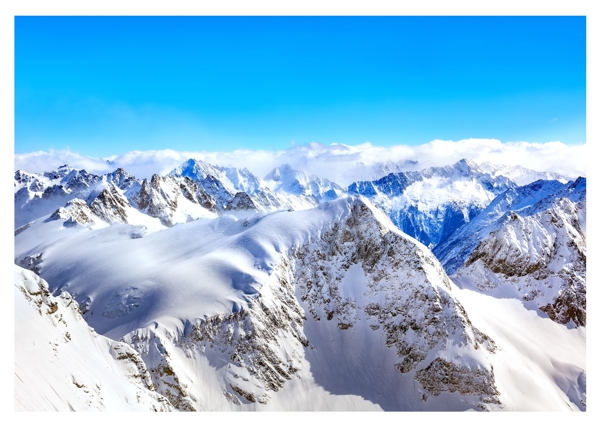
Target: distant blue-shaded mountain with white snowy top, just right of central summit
point(431, 204)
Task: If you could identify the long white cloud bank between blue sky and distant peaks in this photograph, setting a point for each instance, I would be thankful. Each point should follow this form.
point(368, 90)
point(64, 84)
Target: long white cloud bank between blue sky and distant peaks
point(337, 162)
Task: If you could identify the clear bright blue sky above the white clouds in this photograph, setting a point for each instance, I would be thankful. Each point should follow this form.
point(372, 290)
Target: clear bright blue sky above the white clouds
point(102, 86)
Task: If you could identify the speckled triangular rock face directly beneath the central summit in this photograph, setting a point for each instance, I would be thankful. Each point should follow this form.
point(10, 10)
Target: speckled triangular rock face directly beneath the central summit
point(406, 295)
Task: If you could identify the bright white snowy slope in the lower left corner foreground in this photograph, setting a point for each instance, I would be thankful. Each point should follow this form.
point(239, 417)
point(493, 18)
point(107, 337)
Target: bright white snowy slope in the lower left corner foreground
point(62, 364)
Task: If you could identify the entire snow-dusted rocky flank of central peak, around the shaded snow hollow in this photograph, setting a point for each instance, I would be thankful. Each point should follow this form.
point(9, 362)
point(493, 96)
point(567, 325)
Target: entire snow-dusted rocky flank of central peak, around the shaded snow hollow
point(406, 297)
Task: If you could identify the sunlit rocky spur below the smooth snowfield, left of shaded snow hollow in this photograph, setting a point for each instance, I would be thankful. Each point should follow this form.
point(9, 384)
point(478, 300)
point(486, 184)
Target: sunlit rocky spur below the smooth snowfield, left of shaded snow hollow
point(263, 344)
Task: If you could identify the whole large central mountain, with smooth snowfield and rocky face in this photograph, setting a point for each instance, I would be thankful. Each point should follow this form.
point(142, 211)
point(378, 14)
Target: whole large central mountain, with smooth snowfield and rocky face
point(228, 312)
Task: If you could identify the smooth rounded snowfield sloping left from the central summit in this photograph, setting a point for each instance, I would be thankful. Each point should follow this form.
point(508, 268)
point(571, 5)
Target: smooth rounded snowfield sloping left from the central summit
point(204, 267)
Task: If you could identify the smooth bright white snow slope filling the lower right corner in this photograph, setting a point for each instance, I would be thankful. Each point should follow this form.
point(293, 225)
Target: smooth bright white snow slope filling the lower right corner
point(542, 364)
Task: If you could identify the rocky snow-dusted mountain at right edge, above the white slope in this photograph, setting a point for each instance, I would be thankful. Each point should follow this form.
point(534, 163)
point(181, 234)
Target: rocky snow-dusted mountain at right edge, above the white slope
point(529, 243)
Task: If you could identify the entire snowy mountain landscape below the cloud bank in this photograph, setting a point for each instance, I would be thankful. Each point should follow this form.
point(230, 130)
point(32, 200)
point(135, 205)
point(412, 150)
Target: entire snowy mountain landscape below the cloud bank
point(211, 288)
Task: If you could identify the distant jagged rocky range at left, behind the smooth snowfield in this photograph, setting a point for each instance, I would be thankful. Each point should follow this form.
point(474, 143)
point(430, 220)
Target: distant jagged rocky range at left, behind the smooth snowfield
point(186, 194)
